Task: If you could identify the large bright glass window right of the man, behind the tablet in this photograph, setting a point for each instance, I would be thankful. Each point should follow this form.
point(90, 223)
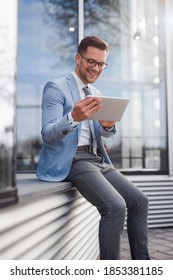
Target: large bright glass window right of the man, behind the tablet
point(136, 71)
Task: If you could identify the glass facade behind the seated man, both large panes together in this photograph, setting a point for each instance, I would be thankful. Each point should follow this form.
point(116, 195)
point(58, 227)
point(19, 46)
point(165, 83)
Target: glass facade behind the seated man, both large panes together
point(47, 44)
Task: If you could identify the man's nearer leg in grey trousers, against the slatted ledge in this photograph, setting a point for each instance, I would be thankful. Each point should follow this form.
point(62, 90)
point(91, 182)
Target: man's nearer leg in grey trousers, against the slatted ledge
point(86, 176)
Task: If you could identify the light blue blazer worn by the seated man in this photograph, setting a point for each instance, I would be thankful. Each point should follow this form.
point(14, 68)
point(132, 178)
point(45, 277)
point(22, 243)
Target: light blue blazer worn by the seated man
point(60, 140)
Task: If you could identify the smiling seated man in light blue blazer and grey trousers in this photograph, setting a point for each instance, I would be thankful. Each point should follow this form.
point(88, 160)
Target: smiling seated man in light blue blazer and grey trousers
point(69, 153)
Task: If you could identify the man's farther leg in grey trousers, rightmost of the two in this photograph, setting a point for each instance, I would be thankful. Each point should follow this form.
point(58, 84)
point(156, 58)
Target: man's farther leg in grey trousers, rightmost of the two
point(137, 212)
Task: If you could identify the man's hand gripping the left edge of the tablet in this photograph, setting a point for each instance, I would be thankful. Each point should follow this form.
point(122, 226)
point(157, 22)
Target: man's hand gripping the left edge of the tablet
point(85, 108)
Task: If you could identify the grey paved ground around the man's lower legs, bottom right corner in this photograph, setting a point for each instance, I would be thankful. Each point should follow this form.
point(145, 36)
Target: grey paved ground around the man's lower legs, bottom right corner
point(160, 244)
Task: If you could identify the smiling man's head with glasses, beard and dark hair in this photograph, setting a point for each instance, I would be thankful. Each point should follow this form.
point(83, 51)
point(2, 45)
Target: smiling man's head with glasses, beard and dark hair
point(91, 58)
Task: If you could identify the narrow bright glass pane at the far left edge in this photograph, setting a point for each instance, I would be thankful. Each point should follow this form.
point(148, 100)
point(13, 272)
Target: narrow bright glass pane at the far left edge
point(8, 36)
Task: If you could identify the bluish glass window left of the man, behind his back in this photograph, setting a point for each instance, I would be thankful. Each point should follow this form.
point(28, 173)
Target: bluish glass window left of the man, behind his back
point(47, 42)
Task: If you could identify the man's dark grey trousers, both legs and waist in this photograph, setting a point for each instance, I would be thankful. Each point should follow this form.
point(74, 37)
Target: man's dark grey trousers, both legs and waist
point(111, 193)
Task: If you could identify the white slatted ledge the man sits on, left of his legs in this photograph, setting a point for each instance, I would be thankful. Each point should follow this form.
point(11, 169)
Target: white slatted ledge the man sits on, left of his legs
point(52, 221)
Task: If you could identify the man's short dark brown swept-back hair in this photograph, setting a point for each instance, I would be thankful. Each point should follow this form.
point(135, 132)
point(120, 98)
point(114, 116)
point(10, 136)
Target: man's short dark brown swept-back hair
point(93, 41)
